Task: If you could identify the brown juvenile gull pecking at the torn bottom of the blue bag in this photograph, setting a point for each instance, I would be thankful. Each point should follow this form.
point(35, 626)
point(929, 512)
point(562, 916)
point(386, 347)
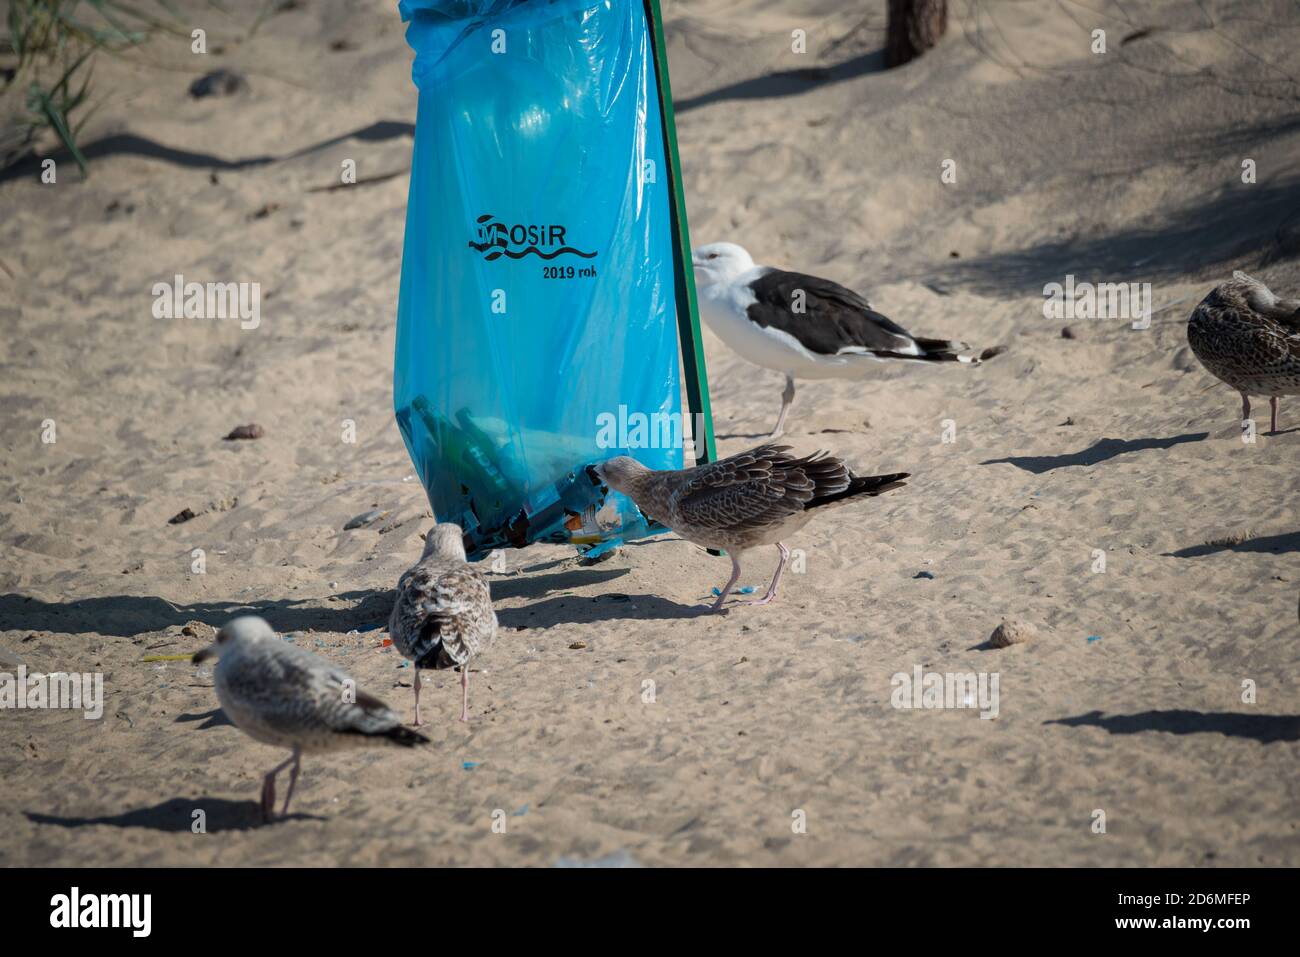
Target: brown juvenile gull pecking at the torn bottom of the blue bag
point(755, 499)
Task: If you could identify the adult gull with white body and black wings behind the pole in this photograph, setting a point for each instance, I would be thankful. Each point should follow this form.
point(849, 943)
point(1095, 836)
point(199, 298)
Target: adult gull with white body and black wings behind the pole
point(801, 326)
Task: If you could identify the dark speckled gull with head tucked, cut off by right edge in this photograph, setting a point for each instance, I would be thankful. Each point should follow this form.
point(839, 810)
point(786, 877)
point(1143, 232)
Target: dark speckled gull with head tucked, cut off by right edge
point(1250, 339)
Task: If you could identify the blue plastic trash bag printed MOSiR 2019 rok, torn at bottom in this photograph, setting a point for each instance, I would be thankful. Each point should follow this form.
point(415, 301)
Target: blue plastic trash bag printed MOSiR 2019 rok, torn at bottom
point(539, 269)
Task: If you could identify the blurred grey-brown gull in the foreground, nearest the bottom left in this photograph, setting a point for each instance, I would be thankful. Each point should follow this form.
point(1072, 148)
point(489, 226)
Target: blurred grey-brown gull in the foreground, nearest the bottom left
point(285, 696)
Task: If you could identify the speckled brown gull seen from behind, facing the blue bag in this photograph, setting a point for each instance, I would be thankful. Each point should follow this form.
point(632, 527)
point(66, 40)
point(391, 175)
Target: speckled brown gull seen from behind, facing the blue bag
point(444, 614)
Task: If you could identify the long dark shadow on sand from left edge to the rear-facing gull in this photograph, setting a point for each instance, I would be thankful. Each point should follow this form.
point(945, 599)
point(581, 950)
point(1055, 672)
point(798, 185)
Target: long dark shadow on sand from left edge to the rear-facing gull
point(128, 616)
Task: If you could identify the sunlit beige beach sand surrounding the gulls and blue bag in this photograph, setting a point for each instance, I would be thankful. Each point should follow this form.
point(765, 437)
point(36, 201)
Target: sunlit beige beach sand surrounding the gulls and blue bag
point(1129, 700)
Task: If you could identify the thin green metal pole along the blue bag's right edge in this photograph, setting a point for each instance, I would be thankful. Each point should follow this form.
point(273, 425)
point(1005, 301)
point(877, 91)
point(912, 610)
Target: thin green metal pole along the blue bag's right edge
point(688, 311)
